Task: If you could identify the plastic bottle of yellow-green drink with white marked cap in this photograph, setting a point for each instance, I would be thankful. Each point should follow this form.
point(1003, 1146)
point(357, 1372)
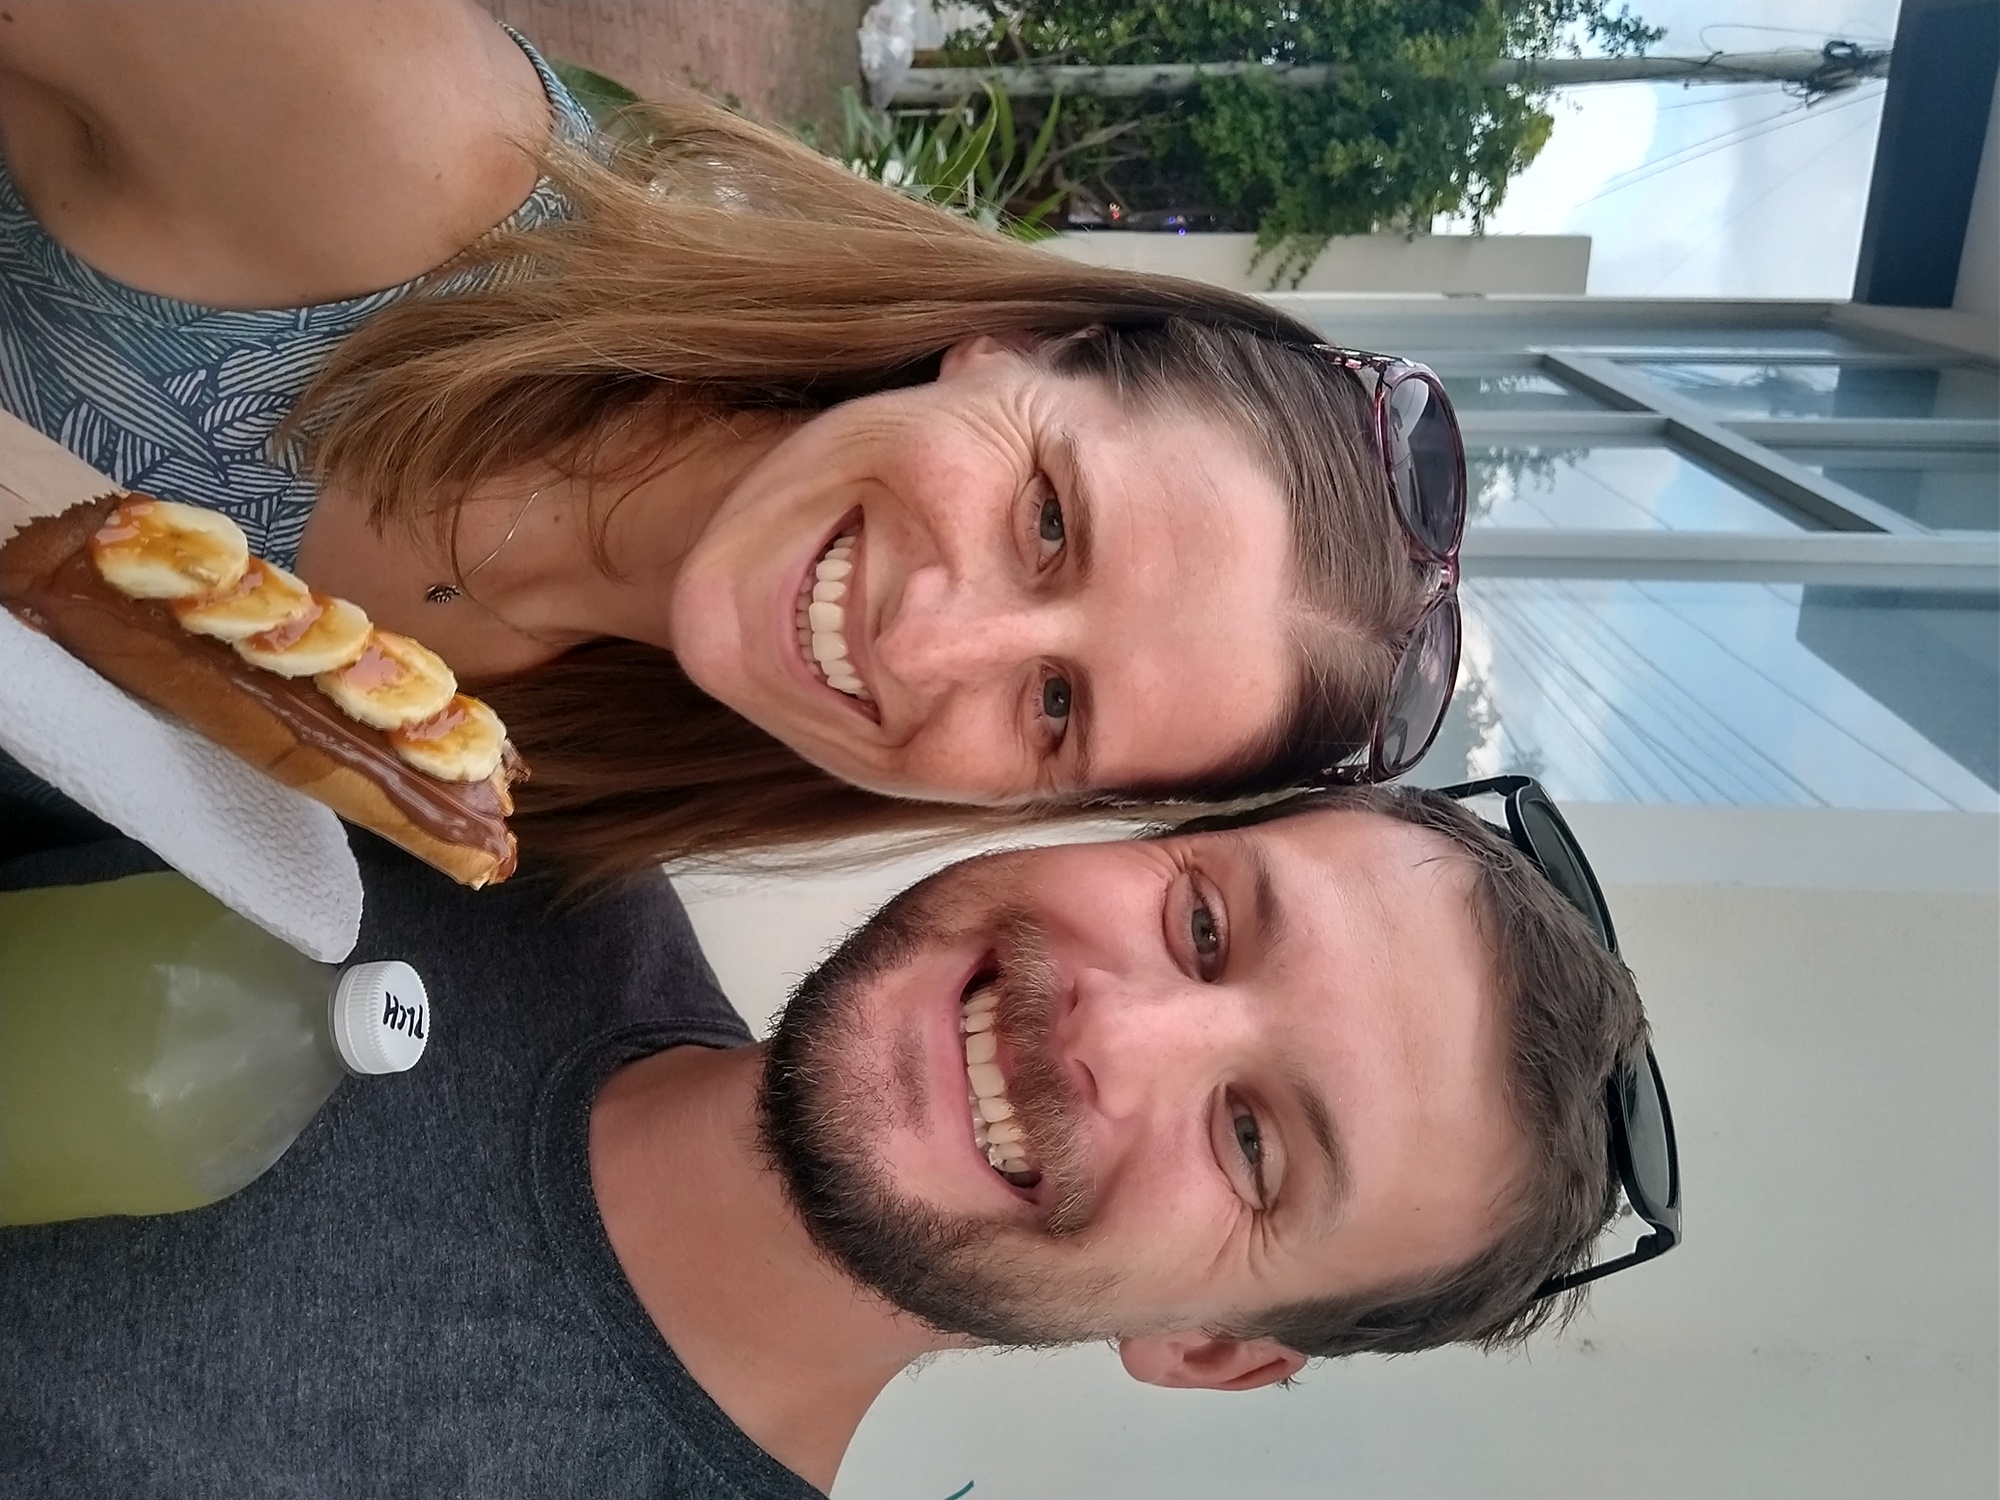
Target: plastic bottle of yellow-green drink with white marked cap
point(161, 1053)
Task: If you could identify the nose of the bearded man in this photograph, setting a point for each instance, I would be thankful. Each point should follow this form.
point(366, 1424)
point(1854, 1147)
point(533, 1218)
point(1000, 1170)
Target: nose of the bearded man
point(1151, 1039)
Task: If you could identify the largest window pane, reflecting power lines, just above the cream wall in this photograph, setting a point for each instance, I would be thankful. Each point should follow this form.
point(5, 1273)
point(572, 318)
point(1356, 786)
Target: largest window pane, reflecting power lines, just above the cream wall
point(1763, 695)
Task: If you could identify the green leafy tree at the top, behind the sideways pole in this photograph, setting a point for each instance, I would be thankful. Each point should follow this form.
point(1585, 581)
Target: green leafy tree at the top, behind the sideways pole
point(1405, 131)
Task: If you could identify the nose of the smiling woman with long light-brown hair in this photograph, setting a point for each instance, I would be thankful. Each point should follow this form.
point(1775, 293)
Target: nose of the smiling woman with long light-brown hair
point(951, 633)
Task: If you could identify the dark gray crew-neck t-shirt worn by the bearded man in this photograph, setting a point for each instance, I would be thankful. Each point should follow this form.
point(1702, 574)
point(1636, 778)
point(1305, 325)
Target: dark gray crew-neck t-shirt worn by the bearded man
point(419, 1299)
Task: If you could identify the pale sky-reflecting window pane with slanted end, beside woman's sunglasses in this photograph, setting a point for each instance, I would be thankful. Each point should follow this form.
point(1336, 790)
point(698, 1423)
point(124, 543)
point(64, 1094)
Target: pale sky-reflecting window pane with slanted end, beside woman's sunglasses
point(1611, 489)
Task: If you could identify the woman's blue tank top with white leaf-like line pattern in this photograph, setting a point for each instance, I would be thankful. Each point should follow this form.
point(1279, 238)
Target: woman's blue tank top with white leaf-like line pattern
point(177, 399)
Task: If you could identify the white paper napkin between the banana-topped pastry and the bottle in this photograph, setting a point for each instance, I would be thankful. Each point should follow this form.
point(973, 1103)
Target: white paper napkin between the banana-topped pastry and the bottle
point(267, 851)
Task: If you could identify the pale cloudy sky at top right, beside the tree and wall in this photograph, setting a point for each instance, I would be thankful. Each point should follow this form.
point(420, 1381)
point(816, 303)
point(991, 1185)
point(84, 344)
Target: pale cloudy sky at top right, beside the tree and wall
point(1715, 191)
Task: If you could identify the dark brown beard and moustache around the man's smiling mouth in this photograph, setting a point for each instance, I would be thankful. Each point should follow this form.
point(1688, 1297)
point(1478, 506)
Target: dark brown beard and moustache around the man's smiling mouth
point(829, 1097)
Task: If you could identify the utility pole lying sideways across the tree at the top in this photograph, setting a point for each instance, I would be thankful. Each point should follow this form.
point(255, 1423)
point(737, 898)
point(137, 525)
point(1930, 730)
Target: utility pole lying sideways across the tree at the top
point(1817, 73)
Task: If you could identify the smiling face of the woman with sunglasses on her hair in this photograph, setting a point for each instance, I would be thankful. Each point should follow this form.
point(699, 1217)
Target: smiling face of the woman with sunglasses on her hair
point(997, 587)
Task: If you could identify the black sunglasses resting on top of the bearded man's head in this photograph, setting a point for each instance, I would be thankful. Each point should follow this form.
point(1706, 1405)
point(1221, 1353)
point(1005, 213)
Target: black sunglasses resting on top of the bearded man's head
point(1635, 1099)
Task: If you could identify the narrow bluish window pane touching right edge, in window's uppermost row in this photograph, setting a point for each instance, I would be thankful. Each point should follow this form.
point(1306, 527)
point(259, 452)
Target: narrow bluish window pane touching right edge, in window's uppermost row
point(1807, 391)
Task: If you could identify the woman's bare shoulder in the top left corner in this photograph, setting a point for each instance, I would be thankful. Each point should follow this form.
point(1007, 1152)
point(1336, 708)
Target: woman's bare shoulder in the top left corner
point(249, 153)
